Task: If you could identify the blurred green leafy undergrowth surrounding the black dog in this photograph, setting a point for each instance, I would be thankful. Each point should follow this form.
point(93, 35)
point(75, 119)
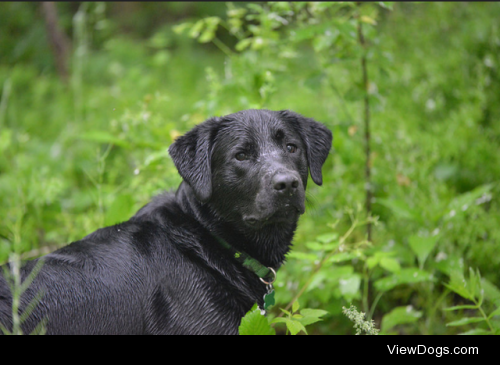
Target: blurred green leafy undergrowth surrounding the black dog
point(86, 150)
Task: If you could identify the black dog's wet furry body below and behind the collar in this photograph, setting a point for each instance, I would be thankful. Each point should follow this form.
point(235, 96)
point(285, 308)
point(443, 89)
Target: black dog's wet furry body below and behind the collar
point(137, 277)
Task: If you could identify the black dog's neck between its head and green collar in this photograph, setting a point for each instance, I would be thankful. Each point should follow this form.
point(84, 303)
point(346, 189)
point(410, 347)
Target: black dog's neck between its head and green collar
point(268, 245)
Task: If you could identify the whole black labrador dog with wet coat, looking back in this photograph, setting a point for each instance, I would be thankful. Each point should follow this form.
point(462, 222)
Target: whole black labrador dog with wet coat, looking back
point(175, 267)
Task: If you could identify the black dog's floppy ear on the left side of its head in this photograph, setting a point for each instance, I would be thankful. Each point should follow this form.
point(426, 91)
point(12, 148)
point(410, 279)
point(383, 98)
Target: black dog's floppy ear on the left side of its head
point(192, 155)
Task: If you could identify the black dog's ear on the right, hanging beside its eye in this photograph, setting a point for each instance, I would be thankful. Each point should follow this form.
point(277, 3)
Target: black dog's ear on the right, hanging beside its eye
point(317, 139)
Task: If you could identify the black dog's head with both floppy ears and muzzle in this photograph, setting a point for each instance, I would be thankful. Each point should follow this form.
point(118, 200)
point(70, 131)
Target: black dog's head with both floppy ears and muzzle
point(251, 167)
